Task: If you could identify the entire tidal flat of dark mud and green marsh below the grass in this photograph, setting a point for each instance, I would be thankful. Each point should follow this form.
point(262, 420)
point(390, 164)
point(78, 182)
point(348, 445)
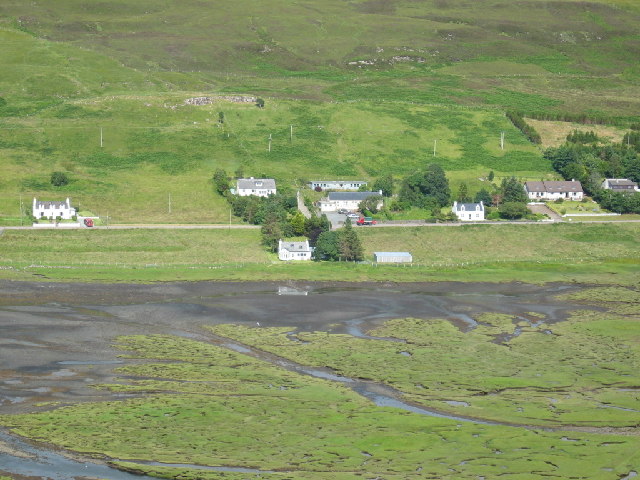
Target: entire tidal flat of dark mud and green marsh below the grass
point(326, 380)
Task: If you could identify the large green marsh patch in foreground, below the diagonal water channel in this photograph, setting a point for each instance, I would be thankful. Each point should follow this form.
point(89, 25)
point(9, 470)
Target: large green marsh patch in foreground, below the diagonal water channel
point(199, 404)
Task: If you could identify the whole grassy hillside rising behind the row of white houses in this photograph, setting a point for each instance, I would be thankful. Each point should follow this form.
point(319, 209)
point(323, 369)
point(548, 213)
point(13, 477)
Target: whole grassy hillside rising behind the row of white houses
point(365, 87)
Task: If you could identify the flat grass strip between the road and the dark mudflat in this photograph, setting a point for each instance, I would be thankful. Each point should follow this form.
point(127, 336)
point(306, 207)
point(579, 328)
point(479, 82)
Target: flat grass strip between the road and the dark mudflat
point(599, 253)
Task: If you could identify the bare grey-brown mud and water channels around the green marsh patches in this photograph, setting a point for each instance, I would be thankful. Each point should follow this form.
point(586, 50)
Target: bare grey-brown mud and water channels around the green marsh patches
point(56, 339)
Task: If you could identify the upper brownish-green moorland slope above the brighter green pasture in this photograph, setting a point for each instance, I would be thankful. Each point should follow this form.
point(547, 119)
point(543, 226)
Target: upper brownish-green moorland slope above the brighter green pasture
point(535, 55)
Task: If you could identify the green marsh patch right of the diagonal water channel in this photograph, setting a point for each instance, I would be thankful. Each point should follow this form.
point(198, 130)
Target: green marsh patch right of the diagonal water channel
point(579, 372)
